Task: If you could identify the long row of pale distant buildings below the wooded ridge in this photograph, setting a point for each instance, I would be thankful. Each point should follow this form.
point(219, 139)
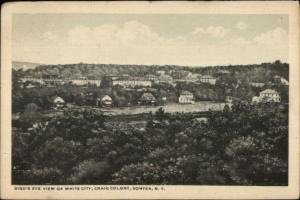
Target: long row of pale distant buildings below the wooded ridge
point(160, 76)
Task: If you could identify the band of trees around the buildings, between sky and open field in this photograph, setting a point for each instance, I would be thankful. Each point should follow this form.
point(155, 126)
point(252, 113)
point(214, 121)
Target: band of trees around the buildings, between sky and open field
point(238, 86)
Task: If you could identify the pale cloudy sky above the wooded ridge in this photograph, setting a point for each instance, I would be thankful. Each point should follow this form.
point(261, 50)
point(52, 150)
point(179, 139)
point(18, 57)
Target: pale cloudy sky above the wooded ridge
point(162, 39)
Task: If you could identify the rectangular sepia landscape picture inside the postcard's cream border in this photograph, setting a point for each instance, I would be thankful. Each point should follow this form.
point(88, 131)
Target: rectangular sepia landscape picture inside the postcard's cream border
point(152, 99)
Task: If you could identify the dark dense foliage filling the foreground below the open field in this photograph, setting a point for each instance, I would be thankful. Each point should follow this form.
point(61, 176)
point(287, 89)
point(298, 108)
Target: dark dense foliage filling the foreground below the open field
point(242, 145)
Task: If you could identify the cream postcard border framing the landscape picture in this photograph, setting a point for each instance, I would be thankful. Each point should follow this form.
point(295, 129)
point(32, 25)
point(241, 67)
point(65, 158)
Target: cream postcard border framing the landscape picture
point(174, 192)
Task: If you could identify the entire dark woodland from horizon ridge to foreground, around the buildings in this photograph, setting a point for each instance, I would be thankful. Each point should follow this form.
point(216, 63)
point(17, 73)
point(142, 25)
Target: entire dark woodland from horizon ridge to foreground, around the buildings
point(244, 144)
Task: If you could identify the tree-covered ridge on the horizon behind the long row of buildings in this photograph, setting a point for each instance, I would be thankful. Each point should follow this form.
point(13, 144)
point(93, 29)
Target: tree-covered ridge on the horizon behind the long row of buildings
point(252, 72)
